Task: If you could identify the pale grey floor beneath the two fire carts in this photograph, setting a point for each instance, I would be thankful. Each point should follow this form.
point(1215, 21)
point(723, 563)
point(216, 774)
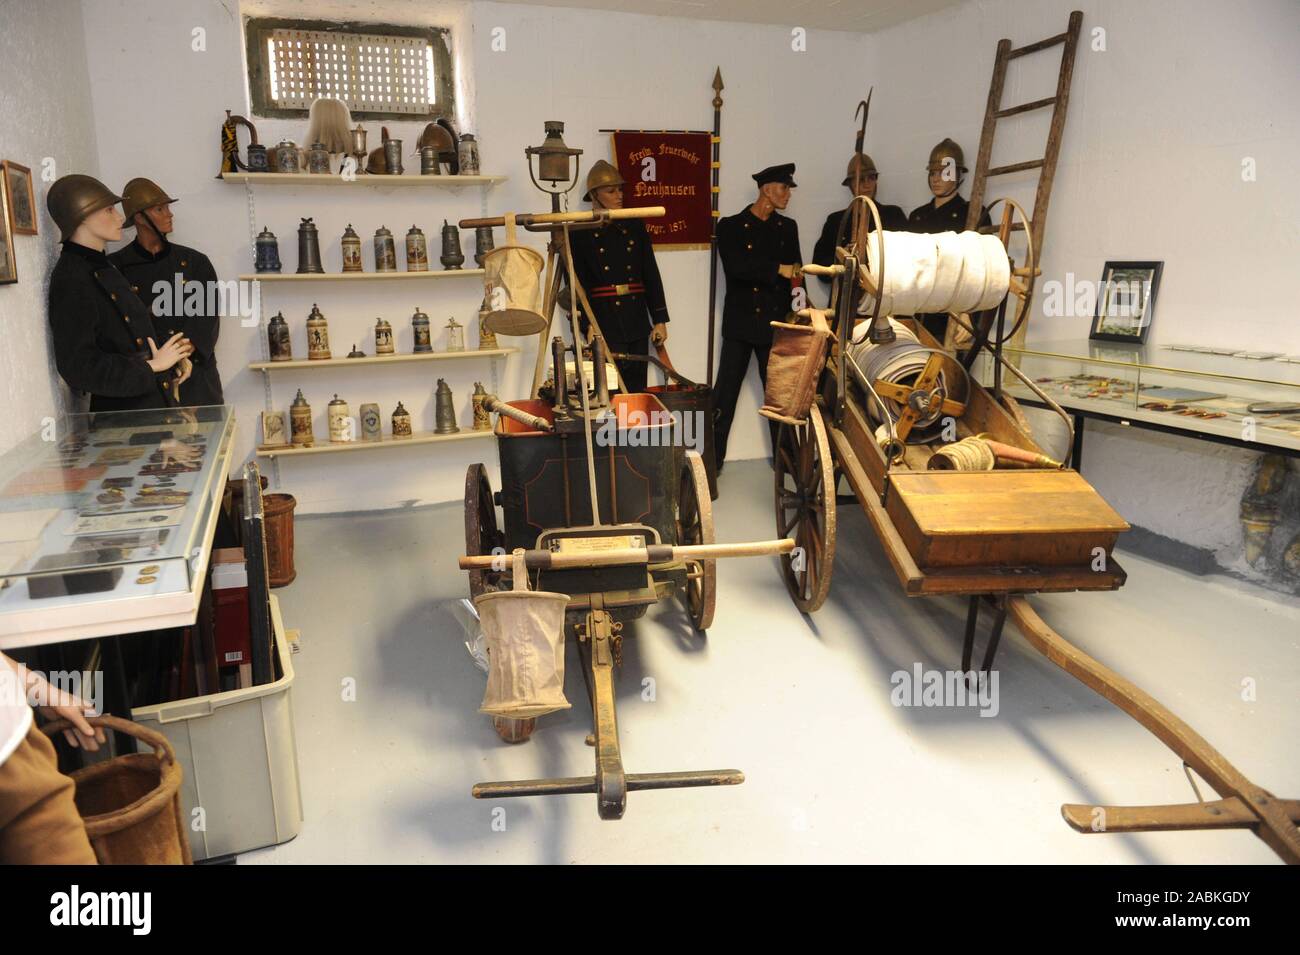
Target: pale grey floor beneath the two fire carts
point(835, 772)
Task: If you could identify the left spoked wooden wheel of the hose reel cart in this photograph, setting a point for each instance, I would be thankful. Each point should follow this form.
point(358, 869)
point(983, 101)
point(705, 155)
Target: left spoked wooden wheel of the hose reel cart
point(805, 510)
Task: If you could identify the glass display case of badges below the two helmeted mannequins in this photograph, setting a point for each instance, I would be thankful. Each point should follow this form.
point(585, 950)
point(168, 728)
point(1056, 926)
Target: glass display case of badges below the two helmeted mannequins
point(109, 507)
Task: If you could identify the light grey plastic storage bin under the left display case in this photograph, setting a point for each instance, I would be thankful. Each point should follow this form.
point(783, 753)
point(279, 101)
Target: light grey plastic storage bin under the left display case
point(240, 757)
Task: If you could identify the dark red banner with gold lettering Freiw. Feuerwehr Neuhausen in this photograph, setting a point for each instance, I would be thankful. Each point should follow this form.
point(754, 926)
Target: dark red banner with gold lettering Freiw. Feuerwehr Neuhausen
point(669, 170)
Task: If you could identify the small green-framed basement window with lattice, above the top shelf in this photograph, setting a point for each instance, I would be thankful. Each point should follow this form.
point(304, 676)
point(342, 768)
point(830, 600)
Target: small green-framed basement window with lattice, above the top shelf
point(380, 71)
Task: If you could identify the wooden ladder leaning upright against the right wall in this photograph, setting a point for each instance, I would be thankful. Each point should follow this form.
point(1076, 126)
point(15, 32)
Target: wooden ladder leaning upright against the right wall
point(994, 112)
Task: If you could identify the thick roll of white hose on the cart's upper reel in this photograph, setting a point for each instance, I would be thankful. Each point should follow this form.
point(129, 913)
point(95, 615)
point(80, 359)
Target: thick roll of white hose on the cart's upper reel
point(943, 272)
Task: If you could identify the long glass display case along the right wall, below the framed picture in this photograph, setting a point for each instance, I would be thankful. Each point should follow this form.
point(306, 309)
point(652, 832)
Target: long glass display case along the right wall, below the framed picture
point(1250, 400)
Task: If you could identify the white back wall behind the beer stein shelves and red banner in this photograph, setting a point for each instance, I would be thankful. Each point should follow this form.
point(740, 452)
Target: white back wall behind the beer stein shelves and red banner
point(590, 70)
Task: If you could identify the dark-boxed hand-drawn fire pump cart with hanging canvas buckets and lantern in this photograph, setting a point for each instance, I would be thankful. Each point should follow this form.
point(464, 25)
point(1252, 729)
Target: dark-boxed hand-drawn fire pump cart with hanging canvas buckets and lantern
point(605, 515)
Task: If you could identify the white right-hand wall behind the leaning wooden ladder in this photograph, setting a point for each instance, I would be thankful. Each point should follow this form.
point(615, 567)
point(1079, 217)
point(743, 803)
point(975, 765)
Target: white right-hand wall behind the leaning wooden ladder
point(1151, 168)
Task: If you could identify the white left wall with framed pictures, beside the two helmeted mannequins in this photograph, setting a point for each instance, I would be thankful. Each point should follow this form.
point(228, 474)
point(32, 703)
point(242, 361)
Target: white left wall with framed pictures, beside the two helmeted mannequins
point(45, 103)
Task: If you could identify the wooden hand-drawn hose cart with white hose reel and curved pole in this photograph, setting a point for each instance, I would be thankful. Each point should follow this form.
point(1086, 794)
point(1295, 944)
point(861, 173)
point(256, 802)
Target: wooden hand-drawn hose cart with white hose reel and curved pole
point(961, 497)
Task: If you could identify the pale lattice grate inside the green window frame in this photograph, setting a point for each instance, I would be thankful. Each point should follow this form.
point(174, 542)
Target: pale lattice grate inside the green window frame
point(372, 73)
